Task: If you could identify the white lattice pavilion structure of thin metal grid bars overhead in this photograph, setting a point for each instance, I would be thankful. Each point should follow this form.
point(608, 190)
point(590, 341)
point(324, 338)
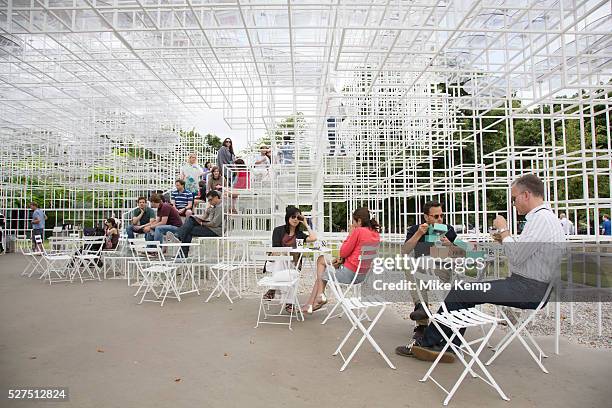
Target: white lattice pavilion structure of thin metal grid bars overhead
point(94, 95)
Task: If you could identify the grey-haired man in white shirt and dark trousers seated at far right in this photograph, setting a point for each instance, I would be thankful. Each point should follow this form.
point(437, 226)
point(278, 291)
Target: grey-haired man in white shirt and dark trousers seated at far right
point(533, 259)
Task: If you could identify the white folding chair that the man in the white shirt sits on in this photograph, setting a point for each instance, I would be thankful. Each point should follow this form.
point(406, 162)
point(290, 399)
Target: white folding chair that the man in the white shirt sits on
point(517, 325)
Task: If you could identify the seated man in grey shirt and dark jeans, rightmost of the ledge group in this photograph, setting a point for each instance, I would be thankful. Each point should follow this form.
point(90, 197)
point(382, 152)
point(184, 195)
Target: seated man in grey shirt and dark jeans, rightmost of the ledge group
point(208, 225)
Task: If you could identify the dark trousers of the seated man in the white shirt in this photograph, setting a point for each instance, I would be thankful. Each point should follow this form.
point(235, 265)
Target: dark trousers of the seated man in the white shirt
point(514, 291)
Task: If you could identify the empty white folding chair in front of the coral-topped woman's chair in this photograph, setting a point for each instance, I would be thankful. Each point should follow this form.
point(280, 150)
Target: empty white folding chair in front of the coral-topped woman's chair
point(355, 308)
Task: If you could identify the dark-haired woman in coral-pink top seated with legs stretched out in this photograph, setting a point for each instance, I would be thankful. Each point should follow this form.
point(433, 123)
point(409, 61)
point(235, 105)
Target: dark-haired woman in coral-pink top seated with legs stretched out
point(363, 231)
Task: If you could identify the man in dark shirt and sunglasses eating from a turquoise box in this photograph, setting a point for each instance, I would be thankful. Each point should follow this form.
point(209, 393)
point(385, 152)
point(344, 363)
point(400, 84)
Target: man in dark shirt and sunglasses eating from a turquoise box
point(415, 240)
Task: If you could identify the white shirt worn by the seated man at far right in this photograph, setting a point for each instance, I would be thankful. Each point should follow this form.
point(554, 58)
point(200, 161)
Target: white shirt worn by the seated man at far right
point(537, 252)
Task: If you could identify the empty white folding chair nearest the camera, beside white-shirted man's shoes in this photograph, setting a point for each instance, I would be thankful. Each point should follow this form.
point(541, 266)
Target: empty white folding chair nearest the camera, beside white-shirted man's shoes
point(456, 321)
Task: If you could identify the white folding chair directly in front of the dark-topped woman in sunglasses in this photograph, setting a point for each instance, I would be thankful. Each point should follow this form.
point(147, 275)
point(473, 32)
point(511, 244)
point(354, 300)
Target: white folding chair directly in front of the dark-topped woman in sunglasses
point(281, 262)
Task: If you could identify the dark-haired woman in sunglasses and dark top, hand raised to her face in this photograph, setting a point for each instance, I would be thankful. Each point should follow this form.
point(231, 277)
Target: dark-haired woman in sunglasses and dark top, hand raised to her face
point(286, 235)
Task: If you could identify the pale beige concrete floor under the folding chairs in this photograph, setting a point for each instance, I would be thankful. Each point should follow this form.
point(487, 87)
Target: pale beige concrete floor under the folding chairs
point(54, 336)
